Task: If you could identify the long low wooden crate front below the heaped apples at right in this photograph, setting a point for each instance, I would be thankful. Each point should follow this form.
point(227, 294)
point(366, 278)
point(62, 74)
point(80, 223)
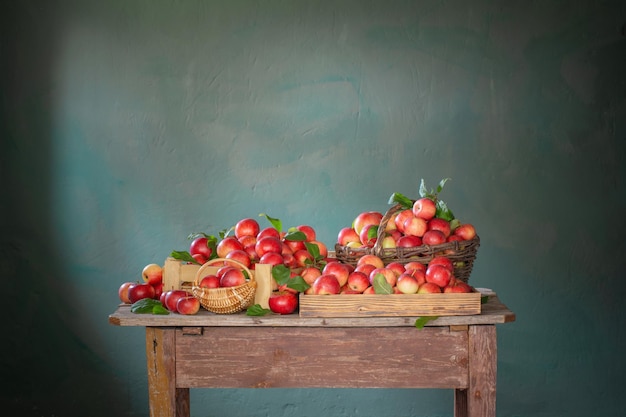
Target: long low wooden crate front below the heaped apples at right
point(391, 305)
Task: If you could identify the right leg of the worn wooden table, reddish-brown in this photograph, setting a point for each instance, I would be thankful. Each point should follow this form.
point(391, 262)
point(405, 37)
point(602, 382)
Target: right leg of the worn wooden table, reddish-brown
point(479, 399)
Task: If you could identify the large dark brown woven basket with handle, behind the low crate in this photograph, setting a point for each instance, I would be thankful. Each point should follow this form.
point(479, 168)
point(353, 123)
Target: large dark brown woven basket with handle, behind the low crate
point(461, 253)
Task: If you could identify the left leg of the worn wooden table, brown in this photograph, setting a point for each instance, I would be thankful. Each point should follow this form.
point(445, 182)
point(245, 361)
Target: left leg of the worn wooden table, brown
point(165, 399)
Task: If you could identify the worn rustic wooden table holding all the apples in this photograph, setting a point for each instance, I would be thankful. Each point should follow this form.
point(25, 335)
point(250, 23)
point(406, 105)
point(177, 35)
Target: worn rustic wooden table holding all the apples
point(236, 351)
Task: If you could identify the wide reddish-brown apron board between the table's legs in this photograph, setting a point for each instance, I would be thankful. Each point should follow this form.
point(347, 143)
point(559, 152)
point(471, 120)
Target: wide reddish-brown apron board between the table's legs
point(323, 357)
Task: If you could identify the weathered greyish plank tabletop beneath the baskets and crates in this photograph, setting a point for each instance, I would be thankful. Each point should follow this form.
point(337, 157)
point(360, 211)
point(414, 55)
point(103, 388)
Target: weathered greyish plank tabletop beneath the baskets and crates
point(492, 312)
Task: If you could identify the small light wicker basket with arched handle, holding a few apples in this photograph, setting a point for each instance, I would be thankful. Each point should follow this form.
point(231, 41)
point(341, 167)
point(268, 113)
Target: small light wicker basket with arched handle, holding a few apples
point(225, 300)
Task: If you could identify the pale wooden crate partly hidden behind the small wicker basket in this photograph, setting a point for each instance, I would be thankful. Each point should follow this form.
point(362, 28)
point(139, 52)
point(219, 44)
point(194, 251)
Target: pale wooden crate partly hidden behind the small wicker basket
point(181, 275)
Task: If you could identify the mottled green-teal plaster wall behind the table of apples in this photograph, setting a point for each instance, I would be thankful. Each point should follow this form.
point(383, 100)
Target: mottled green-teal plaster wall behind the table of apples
point(126, 125)
